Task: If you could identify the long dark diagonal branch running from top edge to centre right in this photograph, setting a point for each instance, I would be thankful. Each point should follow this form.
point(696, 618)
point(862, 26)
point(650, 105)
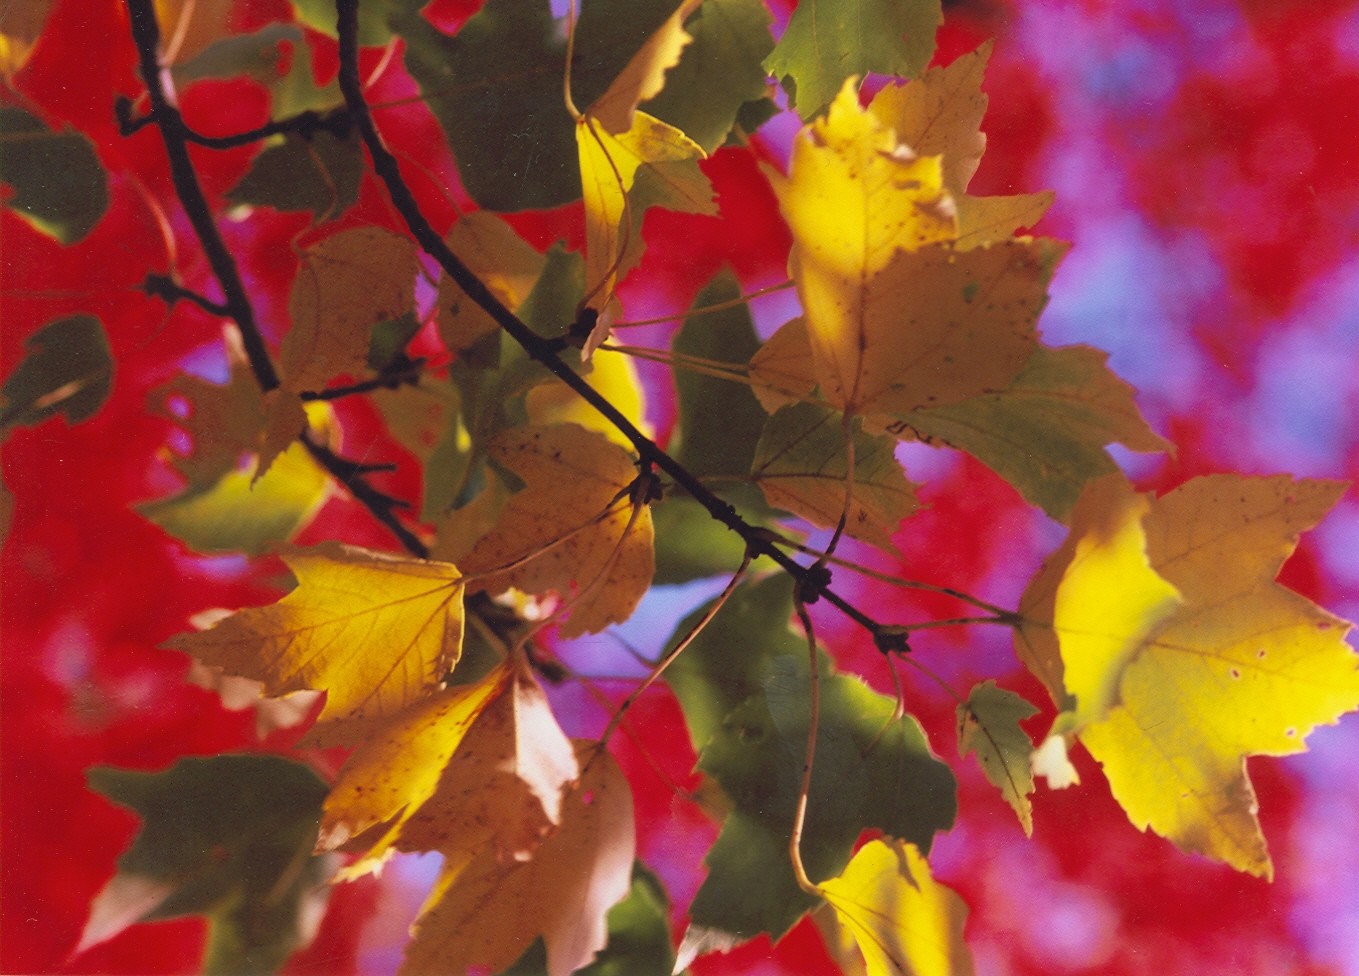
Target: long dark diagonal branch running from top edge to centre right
point(546, 351)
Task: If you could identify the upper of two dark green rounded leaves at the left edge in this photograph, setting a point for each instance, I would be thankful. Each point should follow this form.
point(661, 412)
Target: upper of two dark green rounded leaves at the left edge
point(58, 184)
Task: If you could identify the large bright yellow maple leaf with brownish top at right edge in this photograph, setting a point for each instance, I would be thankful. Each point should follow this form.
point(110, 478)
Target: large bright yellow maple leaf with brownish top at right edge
point(1173, 702)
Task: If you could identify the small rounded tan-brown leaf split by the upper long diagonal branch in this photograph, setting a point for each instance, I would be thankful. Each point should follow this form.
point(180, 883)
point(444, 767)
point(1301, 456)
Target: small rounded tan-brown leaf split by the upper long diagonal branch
point(502, 260)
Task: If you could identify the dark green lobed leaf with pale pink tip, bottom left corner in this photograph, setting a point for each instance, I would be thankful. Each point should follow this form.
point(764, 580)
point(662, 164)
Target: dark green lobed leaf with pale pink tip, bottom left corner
point(225, 837)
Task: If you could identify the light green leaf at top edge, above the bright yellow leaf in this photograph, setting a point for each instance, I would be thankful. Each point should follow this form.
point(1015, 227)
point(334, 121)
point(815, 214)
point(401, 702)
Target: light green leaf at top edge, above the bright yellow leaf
point(827, 41)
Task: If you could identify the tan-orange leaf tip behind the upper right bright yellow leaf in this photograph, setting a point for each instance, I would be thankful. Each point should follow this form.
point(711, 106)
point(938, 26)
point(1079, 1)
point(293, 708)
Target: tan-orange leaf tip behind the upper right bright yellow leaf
point(940, 115)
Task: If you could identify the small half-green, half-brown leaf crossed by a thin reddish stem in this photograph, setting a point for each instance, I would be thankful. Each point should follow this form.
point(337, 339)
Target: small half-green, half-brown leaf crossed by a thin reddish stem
point(802, 466)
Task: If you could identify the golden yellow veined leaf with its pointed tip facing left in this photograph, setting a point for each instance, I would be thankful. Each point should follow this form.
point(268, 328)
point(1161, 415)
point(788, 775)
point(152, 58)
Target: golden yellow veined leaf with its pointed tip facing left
point(372, 630)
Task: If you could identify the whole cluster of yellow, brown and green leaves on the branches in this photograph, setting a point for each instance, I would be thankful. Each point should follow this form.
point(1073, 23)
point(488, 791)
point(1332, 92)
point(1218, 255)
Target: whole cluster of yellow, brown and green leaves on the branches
point(547, 509)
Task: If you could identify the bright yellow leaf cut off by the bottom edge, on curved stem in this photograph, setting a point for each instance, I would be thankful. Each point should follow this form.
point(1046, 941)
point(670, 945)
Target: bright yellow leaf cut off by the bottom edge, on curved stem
point(904, 922)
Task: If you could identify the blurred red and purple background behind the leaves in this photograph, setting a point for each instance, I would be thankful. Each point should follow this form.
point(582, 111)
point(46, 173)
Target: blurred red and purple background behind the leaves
point(1203, 156)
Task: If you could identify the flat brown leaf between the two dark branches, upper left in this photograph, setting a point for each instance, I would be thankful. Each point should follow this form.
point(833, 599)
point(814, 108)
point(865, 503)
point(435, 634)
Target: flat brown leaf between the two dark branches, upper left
point(346, 285)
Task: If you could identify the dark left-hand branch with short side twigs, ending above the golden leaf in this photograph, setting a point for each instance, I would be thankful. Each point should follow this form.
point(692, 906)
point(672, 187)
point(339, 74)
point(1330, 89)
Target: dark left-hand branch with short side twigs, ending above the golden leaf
point(177, 135)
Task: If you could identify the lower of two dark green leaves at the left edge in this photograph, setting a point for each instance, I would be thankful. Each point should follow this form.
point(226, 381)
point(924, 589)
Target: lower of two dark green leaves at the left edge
point(67, 369)
